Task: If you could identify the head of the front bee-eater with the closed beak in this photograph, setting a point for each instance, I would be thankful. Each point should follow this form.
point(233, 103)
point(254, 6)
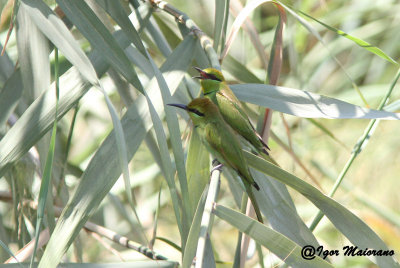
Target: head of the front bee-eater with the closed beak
point(200, 110)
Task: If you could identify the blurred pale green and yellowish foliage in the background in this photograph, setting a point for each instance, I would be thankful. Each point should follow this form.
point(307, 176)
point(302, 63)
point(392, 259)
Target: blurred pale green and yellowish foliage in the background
point(323, 146)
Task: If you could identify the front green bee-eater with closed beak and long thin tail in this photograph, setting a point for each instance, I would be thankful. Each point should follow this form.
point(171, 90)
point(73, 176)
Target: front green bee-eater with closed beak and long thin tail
point(221, 141)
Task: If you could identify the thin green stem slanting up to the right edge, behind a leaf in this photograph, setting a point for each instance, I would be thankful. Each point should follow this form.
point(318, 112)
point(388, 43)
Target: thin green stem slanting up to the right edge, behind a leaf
point(362, 142)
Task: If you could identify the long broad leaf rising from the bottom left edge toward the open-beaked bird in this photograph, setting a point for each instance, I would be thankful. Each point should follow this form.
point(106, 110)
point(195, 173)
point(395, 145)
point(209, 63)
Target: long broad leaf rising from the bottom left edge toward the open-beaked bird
point(104, 169)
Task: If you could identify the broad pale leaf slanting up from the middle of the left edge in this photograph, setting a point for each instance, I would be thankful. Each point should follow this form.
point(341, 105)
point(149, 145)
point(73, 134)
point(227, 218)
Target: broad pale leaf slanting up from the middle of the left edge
point(38, 118)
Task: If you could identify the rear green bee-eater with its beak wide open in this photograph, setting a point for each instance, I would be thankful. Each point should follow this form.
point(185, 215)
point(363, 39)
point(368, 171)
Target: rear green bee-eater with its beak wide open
point(215, 88)
